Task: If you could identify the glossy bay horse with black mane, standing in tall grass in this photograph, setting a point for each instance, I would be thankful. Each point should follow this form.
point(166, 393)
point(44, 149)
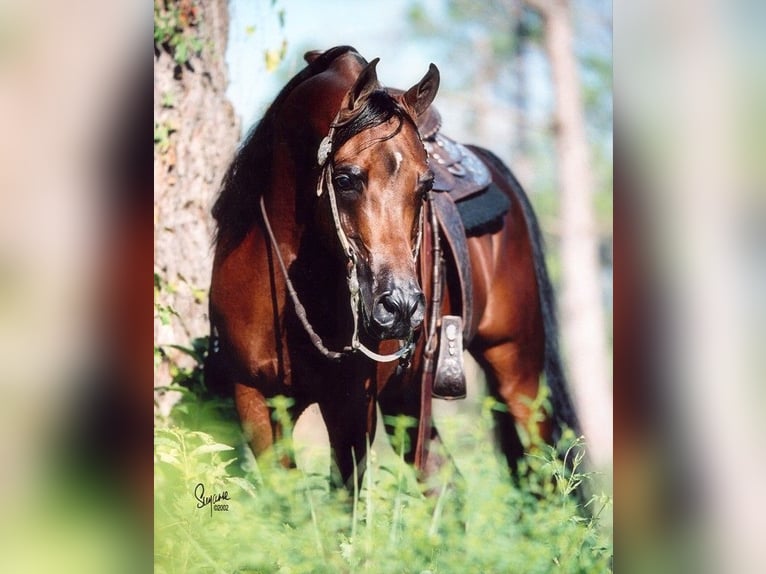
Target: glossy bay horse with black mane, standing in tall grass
point(319, 290)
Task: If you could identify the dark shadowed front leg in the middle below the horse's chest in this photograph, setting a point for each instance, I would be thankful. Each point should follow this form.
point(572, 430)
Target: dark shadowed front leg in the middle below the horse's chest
point(350, 418)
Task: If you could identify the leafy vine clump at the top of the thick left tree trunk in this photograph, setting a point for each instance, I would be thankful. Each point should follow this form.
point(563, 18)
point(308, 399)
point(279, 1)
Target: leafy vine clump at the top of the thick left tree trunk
point(175, 28)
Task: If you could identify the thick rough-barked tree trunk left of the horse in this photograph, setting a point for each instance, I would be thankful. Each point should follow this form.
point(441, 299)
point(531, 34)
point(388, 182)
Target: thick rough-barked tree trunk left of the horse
point(196, 132)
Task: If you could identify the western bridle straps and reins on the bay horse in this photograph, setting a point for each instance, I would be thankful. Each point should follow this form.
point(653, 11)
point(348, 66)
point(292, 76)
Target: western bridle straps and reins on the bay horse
point(324, 155)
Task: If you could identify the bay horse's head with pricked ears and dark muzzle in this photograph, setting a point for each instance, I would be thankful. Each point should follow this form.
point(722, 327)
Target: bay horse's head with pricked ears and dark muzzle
point(374, 178)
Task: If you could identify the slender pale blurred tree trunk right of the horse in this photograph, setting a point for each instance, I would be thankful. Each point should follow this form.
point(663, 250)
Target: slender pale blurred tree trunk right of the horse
point(582, 317)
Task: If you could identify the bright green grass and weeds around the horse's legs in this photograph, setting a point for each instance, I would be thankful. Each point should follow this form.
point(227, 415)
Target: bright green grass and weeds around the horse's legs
point(291, 521)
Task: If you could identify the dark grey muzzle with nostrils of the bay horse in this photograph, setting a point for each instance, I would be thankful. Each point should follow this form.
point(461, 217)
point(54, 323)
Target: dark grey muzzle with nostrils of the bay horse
point(397, 311)
